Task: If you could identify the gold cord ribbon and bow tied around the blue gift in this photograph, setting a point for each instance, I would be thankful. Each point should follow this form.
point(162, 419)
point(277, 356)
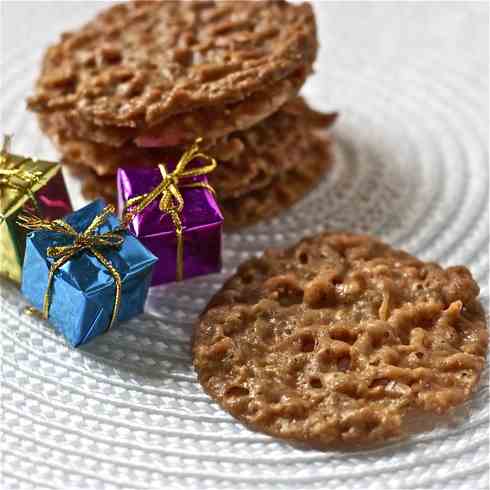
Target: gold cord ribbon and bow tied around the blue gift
point(86, 240)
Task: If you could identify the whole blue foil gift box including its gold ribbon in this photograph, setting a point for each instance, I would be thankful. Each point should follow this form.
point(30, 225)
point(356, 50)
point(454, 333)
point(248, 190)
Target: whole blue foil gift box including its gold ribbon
point(85, 273)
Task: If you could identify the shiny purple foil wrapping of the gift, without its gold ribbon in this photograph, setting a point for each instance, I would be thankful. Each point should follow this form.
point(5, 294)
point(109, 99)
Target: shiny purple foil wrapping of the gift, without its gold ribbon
point(201, 221)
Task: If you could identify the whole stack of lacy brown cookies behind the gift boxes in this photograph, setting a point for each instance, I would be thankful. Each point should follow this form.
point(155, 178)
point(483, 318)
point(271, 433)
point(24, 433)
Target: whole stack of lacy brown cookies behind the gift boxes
point(144, 79)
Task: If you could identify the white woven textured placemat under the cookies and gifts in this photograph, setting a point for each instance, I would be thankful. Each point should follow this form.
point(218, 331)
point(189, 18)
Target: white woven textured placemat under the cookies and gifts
point(126, 412)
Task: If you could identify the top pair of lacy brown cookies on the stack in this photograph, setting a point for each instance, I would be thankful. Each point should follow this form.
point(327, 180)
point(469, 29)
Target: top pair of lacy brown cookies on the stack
point(138, 64)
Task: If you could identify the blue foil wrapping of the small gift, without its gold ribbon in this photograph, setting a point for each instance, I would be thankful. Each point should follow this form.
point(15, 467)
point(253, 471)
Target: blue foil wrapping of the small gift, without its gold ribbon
point(83, 290)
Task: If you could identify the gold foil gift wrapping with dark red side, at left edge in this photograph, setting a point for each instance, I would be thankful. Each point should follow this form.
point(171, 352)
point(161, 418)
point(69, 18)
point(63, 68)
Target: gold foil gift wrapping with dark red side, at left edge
point(51, 201)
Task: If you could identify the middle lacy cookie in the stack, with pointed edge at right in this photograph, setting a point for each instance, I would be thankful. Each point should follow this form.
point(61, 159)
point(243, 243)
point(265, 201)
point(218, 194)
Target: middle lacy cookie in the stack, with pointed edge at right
point(249, 160)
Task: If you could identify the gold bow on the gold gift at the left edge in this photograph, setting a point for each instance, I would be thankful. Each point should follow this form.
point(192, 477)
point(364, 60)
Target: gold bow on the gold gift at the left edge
point(12, 174)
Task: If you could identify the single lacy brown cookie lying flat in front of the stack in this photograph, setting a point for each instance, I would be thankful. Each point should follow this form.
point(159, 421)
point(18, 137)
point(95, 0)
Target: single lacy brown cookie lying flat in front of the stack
point(339, 339)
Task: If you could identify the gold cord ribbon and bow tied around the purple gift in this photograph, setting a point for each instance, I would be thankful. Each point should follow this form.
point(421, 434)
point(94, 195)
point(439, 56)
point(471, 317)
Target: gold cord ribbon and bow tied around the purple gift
point(171, 200)
